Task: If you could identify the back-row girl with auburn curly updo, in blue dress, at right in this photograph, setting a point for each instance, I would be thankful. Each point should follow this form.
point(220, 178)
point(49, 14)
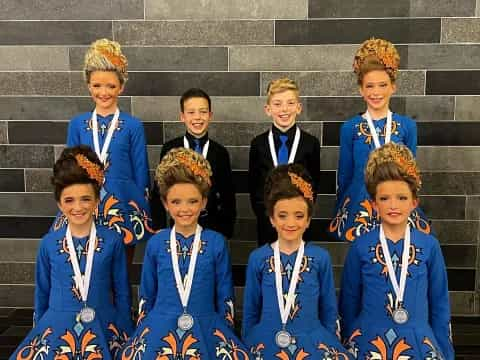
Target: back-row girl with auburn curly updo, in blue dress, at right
point(376, 65)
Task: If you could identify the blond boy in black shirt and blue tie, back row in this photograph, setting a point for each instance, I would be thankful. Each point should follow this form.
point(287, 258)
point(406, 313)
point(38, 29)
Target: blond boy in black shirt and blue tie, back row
point(284, 143)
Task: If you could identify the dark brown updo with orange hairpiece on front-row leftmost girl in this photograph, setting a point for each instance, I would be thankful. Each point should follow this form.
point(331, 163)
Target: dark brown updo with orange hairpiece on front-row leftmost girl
point(69, 170)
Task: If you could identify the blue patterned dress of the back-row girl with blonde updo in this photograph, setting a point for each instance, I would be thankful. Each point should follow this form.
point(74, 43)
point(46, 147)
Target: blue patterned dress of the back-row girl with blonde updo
point(123, 198)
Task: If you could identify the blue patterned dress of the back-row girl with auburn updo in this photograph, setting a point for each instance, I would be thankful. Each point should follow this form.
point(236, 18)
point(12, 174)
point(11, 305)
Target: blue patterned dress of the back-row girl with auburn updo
point(354, 213)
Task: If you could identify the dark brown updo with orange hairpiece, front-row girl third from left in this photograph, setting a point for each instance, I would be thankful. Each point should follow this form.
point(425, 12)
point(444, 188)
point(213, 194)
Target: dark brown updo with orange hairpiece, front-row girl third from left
point(280, 184)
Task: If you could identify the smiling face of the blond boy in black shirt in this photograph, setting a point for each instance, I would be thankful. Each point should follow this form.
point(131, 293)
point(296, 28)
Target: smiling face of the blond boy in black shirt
point(284, 107)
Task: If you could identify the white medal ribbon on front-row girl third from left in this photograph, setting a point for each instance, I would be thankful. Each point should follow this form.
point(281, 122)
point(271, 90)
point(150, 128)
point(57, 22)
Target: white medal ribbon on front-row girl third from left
point(287, 306)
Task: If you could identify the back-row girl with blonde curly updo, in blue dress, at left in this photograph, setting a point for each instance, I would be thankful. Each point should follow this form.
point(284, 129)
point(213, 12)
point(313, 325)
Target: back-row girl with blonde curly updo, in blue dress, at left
point(118, 139)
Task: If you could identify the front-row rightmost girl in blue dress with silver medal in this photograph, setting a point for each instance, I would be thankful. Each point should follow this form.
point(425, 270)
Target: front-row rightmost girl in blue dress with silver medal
point(394, 296)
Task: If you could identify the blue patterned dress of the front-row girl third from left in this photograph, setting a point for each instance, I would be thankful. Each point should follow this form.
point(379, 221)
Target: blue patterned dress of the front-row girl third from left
point(313, 318)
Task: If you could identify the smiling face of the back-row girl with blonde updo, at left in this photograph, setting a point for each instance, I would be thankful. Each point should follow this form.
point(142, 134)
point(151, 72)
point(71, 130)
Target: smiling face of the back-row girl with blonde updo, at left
point(105, 88)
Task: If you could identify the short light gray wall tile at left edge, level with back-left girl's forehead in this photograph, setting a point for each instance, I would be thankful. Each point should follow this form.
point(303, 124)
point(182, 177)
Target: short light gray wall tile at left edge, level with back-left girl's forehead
point(34, 83)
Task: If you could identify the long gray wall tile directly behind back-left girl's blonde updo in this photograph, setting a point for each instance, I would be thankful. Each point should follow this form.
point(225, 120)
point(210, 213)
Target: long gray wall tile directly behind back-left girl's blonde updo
point(165, 58)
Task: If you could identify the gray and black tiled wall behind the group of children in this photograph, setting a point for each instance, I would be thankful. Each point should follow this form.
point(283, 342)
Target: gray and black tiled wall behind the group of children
point(232, 49)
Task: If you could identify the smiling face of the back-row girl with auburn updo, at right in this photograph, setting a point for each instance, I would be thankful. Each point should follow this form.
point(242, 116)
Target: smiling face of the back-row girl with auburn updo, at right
point(377, 89)
